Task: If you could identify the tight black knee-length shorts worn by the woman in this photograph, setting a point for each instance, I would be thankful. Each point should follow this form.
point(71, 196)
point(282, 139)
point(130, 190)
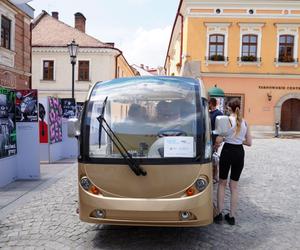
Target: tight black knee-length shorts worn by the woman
point(232, 157)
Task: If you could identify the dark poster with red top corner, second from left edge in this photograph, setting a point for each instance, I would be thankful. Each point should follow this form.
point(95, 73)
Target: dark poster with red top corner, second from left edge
point(26, 106)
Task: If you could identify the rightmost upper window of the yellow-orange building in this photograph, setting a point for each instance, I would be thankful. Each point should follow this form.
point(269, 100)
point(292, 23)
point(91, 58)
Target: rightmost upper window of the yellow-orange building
point(286, 48)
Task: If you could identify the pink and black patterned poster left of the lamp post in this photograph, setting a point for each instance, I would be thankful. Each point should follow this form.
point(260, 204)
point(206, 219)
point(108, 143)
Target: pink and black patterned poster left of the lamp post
point(55, 120)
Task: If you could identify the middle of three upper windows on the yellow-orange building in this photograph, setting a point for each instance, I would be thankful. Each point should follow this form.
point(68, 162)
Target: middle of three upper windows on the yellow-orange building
point(249, 48)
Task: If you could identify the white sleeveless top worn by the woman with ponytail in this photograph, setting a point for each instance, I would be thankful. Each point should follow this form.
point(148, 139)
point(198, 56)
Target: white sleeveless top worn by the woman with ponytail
point(234, 138)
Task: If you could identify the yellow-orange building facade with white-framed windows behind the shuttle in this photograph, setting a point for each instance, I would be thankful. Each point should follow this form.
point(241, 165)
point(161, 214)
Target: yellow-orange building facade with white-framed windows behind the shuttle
point(248, 48)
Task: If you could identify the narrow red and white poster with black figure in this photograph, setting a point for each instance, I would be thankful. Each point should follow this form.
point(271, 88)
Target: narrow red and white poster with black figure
point(43, 120)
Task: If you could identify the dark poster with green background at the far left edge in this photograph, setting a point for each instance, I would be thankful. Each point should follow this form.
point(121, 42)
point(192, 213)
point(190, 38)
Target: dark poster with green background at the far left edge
point(8, 136)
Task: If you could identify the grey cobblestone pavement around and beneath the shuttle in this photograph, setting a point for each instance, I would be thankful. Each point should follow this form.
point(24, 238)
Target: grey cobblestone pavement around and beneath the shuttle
point(268, 215)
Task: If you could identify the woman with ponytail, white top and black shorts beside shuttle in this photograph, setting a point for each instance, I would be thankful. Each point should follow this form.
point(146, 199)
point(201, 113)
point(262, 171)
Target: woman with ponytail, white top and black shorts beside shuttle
point(232, 158)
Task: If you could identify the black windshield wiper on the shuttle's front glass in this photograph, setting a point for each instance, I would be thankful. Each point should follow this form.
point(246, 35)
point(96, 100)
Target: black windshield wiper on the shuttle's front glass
point(133, 164)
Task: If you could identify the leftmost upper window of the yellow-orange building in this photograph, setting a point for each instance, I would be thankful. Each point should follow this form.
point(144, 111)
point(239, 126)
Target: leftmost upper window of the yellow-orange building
point(216, 47)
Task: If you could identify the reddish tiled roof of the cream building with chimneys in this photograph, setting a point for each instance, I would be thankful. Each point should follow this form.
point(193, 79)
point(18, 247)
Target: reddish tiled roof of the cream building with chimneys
point(48, 31)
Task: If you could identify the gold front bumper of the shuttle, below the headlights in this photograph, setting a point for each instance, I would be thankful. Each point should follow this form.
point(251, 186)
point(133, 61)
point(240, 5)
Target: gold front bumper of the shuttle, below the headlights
point(147, 212)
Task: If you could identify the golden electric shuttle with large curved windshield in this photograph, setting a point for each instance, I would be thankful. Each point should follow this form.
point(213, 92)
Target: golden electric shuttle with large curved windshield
point(145, 153)
